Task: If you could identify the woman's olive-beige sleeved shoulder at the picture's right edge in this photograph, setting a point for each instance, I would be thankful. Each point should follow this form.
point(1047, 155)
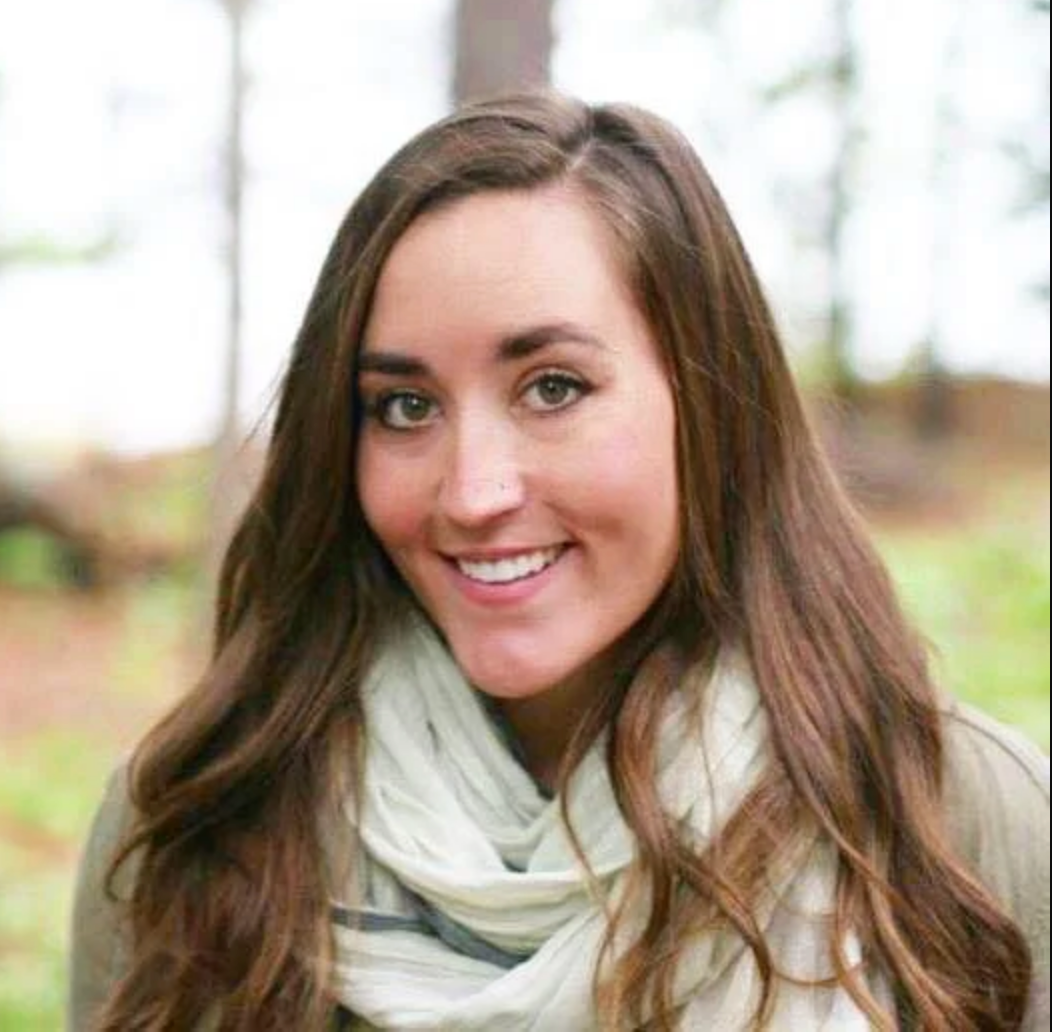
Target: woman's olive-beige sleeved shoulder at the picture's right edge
point(997, 798)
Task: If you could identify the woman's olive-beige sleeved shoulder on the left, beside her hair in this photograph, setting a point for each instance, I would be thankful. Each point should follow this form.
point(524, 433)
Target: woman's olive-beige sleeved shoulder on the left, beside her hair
point(97, 941)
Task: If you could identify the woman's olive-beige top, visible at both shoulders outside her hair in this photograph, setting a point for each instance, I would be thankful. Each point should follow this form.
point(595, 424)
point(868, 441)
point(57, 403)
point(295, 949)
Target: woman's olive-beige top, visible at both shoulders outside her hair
point(998, 805)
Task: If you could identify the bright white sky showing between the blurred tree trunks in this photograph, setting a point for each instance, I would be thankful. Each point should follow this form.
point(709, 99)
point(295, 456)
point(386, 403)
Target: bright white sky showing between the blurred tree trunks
point(112, 119)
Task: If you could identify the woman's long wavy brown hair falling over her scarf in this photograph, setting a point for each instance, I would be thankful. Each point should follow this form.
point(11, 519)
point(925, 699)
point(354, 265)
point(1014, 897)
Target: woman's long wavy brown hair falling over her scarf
point(229, 909)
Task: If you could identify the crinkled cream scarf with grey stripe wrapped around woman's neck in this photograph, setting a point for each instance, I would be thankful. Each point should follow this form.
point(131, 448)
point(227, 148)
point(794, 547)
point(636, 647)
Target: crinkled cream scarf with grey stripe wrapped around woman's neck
point(477, 915)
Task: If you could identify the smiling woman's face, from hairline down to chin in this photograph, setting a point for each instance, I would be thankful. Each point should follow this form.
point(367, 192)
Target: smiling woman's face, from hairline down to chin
point(518, 455)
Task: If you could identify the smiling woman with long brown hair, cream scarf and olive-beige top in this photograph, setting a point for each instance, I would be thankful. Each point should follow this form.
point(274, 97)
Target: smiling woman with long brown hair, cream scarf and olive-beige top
point(556, 686)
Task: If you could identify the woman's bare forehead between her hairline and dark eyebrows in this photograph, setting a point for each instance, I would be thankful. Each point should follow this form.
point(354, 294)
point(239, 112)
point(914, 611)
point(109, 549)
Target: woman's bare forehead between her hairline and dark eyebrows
point(501, 257)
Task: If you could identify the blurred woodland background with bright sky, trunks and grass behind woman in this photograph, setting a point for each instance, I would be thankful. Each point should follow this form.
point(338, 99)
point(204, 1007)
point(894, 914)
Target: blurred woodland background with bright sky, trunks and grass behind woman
point(172, 173)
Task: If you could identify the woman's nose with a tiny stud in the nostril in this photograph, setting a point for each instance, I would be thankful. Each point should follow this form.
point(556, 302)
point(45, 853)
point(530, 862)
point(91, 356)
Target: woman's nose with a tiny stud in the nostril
point(482, 479)
